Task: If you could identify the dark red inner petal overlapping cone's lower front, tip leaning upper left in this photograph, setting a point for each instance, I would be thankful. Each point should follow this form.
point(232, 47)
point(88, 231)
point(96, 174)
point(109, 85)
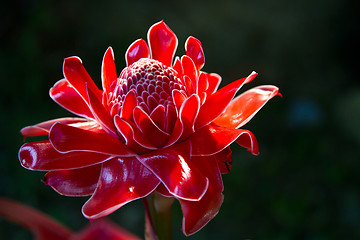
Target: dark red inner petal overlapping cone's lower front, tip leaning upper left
point(152, 132)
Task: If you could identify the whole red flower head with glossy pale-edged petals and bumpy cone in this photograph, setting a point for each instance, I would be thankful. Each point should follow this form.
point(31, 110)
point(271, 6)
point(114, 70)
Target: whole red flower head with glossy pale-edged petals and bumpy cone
point(158, 127)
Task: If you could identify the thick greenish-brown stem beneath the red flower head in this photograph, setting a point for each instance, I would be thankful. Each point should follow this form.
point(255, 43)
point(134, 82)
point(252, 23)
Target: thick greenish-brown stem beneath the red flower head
point(158, 224)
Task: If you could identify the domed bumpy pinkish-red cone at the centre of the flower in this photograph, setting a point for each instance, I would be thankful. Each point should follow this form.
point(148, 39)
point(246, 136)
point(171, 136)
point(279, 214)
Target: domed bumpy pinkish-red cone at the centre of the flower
point(151, 81)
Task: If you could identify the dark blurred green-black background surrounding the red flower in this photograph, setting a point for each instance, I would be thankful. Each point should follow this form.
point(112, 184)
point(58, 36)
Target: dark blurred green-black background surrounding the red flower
point(305, 182)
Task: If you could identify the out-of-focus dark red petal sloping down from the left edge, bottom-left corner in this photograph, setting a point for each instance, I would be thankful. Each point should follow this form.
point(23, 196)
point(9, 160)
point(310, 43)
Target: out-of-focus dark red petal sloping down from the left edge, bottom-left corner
point(42, 226)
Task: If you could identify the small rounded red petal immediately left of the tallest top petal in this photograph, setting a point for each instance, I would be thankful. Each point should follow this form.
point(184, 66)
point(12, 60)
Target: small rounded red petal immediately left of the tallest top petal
point(137, 50)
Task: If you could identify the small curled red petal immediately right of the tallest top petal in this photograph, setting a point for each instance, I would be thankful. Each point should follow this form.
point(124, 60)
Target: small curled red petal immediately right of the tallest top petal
point(194, 50)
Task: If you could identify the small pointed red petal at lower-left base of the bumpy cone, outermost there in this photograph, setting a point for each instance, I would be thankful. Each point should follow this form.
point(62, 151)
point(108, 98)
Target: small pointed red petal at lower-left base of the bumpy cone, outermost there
point(132, 135)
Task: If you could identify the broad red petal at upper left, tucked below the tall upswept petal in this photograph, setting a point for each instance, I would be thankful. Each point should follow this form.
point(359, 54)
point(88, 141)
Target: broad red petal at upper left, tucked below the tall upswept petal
point(67, 97)
